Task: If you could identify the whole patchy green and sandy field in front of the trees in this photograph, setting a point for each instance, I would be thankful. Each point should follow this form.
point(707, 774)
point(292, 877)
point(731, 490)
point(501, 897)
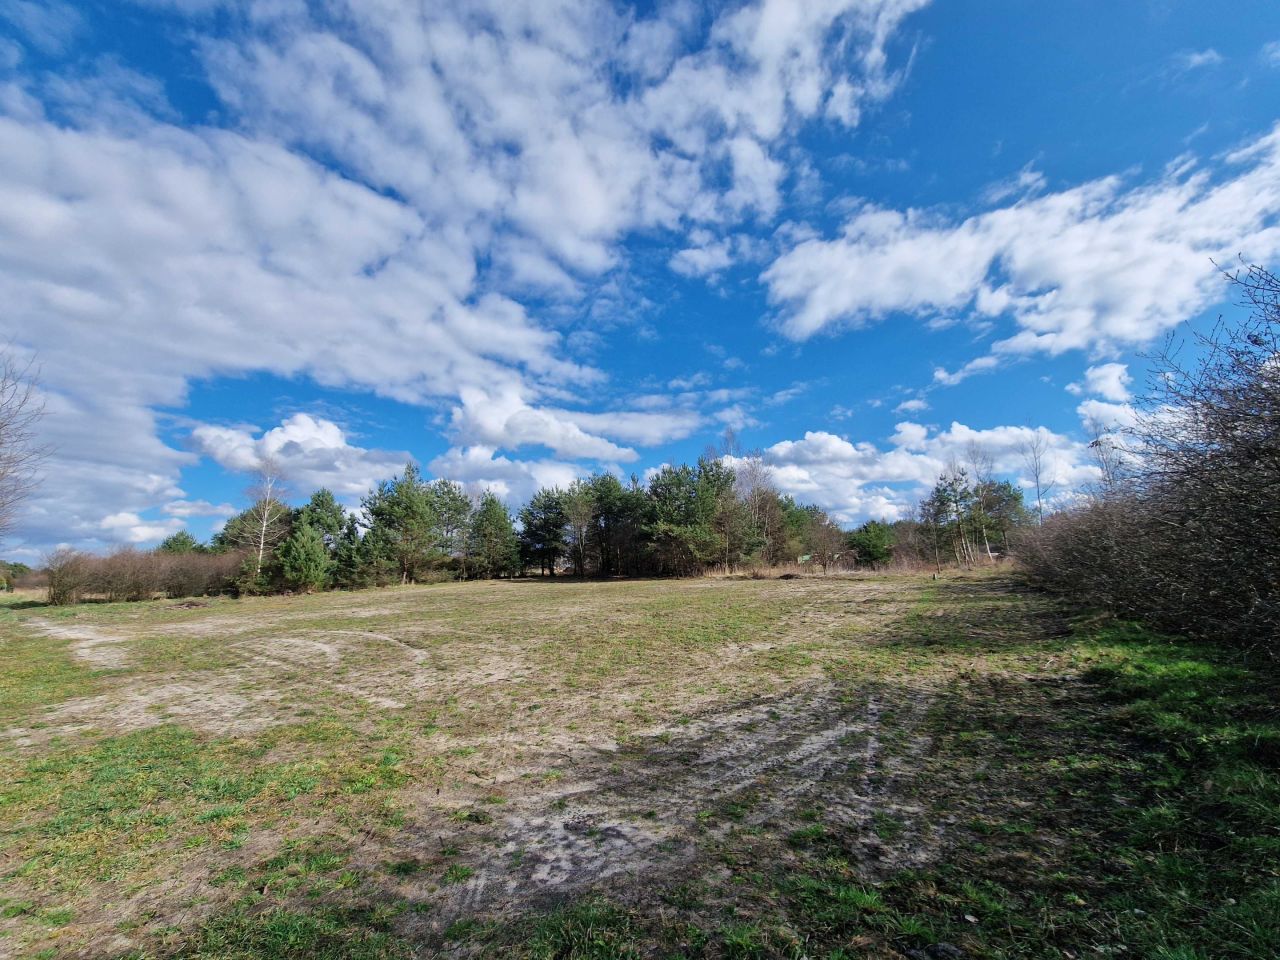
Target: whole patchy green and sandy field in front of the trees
point(880, 767)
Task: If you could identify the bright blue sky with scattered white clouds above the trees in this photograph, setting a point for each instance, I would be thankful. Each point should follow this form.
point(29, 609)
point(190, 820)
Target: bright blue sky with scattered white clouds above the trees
point(520, 241)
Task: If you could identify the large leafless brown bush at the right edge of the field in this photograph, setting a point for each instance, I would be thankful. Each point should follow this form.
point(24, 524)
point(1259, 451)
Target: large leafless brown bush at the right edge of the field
point(1187, 533)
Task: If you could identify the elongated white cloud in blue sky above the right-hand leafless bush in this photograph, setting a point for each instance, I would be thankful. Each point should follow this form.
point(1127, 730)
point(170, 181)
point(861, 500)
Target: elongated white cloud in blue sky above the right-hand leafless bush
point(1100, 266)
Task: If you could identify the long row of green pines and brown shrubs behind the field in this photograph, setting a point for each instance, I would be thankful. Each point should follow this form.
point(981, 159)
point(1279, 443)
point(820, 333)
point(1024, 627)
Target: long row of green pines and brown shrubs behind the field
point(684, 522)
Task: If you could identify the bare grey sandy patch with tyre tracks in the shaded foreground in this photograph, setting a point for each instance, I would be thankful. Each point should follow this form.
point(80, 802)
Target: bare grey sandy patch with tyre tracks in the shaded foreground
point(627, 820)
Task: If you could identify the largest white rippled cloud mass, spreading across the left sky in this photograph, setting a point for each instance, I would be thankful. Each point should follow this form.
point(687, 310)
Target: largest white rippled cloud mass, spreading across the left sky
point(390, 182)
